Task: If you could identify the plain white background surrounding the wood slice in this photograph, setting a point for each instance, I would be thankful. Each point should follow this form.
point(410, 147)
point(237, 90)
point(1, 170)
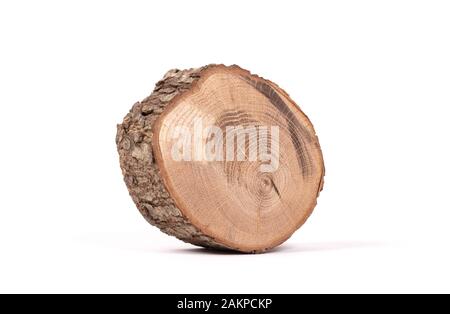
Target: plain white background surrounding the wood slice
point(373, 76)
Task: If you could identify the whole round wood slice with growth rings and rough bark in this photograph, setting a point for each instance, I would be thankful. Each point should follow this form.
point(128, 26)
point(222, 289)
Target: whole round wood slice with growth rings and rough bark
point(221, 158)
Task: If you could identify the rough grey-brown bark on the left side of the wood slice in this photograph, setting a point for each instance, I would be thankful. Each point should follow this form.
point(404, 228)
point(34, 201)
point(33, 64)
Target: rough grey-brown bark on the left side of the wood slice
point(141, 173)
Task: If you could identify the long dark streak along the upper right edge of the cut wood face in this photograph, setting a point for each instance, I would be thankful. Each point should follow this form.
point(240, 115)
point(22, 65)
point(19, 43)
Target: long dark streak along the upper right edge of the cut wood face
point(296, 131)
